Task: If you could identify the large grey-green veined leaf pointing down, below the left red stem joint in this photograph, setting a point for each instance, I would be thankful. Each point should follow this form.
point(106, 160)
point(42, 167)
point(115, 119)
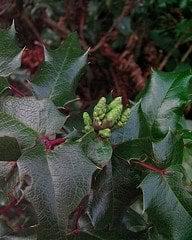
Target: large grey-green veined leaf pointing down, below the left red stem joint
point(59, 180)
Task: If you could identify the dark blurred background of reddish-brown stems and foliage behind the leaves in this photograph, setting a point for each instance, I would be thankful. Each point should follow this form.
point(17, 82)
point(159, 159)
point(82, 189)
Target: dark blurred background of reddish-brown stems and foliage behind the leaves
point(127, 38)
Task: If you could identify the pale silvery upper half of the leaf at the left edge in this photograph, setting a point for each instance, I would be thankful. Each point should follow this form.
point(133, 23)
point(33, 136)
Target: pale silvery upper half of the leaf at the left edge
point(39, 115)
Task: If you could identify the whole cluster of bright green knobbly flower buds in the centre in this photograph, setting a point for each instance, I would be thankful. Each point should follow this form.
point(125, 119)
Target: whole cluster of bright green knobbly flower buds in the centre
point(106, 116)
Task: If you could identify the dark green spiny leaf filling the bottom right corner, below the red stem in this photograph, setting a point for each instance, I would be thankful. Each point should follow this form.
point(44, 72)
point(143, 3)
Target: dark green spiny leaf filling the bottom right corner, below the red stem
point(168, 204)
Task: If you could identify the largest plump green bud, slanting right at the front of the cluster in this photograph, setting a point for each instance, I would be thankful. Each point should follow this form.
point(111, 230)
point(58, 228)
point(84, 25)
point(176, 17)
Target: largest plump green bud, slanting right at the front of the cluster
point(112, 117)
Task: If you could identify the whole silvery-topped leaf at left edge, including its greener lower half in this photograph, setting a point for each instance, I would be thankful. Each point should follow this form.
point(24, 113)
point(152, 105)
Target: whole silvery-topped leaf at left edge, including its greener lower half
point(26, 118)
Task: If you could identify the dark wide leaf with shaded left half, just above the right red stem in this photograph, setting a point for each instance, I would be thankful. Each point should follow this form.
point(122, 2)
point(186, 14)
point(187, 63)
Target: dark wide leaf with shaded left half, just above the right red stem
point(163, 153)
